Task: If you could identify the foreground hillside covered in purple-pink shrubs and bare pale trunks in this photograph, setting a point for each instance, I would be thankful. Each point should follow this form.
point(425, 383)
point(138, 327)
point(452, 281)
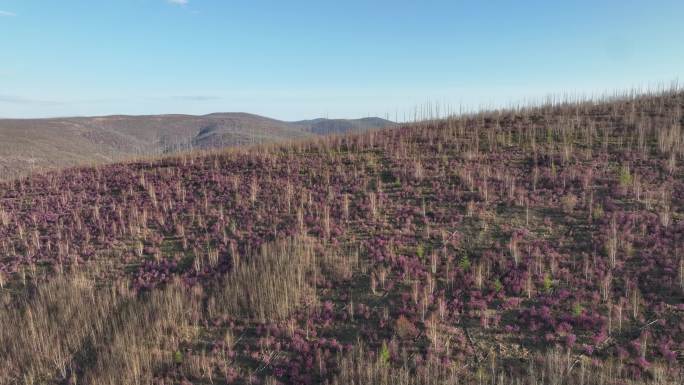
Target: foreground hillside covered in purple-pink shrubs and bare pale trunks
point(538, 246)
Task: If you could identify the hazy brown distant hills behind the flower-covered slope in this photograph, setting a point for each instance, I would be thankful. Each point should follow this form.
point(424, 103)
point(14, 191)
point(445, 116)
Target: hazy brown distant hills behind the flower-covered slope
point(34, 144)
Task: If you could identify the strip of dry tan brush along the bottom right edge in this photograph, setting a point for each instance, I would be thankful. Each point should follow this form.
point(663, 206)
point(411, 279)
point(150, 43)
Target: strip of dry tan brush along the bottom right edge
point(555, 367)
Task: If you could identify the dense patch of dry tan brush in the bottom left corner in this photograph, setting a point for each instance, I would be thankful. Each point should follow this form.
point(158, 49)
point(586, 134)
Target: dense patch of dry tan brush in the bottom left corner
point(72, 330)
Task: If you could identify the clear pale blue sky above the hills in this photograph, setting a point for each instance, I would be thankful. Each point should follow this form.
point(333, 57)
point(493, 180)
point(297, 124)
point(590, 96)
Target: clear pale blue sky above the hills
point(304, 59)
